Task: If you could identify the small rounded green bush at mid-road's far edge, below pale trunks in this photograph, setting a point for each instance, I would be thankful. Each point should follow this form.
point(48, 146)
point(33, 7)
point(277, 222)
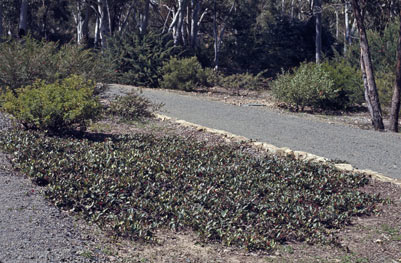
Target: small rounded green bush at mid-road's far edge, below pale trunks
point(183, 74)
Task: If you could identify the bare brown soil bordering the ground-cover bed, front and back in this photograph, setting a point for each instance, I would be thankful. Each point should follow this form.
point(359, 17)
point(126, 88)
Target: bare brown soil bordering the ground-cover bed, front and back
point(375, 238)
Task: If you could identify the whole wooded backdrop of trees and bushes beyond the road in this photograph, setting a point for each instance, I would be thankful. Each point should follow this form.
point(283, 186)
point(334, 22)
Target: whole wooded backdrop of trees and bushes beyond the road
point(307, 51)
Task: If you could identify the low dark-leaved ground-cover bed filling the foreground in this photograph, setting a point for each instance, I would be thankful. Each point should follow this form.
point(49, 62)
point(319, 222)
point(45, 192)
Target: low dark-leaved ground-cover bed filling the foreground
point(136, 184)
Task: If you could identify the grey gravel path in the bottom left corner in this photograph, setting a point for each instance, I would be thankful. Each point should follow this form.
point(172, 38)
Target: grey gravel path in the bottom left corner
point(32, 230)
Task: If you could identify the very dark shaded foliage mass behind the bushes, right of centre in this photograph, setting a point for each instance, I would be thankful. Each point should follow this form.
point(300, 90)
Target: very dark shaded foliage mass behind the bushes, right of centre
point(273, 42)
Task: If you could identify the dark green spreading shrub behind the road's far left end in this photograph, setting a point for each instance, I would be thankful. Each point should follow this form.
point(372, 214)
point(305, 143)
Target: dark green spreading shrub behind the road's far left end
point(139, 58)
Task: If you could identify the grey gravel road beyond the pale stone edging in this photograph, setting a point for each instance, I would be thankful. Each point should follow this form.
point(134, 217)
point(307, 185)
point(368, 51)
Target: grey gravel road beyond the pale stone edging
point(378, 151)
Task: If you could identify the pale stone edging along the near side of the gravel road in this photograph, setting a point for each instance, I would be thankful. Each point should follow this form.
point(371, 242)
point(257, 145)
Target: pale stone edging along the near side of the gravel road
point(284, 151)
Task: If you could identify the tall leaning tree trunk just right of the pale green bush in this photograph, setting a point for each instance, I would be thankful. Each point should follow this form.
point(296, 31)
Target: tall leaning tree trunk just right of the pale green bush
point(372, 97)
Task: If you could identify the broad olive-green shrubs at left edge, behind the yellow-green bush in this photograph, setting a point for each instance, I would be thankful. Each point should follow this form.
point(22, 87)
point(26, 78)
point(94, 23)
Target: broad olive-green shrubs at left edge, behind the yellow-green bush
point(24, 61)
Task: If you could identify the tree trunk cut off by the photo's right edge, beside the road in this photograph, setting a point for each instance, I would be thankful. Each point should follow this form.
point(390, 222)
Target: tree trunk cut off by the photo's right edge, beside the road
point(395, 102)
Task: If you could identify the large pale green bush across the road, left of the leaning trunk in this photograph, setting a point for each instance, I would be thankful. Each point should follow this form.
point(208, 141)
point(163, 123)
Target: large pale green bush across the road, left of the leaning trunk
point(332, 85)
